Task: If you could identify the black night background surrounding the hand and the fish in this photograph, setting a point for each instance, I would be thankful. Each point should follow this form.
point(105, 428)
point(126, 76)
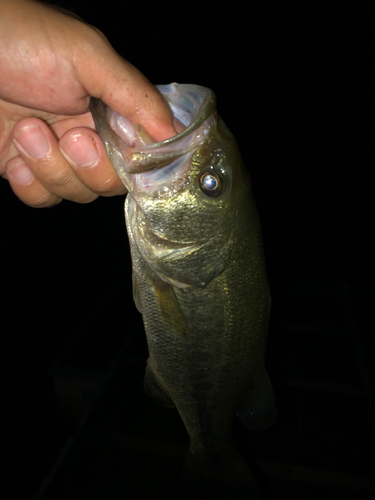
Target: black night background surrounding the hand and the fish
point(295, 84)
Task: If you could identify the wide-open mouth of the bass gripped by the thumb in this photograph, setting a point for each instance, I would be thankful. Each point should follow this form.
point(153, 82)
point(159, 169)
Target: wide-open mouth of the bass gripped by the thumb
point(192, 105)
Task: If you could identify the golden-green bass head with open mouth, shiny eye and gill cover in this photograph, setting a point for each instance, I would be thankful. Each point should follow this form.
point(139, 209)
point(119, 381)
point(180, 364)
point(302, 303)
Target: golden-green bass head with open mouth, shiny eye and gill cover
point(186, 193)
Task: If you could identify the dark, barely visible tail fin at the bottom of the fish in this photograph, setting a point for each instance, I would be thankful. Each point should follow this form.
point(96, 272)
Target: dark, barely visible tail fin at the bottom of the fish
point(226, 477)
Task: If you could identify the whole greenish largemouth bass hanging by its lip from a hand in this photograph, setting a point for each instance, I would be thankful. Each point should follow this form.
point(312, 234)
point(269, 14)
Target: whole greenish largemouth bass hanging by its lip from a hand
point(199, 280)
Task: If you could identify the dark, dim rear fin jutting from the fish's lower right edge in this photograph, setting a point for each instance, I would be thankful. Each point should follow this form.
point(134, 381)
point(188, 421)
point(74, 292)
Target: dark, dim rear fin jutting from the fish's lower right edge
point(260, 411)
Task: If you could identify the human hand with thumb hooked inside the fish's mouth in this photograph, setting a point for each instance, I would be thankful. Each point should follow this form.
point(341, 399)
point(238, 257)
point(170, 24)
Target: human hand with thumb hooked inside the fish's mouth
point(51, 63)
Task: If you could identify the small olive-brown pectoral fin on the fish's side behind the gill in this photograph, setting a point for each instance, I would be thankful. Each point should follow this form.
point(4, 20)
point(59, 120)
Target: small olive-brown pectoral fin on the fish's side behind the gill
point(170, 309)
